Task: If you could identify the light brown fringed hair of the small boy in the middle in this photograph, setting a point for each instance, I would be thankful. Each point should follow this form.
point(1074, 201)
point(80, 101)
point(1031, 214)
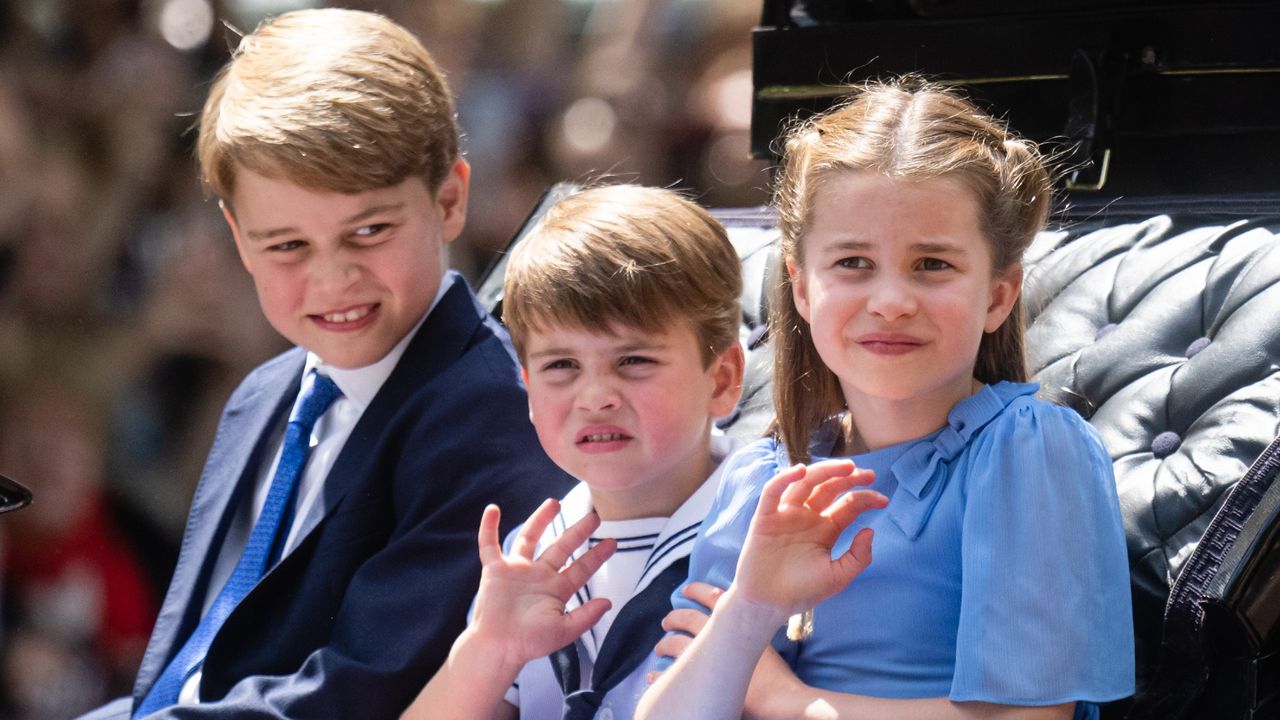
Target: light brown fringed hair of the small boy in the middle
point(625, 256)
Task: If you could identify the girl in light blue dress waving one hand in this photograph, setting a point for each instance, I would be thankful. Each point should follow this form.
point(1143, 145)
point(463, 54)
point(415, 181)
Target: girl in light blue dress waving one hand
point(1000, 586)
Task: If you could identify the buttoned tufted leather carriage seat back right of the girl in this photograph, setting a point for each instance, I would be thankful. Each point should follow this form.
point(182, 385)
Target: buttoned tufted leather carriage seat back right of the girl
point(1167, 336)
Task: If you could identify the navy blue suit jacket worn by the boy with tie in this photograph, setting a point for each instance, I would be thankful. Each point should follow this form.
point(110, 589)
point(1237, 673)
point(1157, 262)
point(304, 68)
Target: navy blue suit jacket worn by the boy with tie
point(365, 608)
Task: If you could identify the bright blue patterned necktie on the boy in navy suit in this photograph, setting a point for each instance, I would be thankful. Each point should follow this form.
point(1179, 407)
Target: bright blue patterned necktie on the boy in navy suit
point(260, 553)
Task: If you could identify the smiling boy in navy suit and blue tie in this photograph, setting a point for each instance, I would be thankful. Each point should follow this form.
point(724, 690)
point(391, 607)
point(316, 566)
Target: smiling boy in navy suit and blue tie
point(327, 564)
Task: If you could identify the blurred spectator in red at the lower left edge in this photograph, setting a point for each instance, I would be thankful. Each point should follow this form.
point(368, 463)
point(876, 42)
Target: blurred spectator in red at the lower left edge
point(79, 609)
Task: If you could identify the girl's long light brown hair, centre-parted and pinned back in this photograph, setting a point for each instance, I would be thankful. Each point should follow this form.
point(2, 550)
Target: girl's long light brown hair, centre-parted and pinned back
point(913, 131)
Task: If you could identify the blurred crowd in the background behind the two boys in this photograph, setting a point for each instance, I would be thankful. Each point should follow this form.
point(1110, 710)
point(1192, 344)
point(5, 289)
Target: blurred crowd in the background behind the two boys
point(126, 318)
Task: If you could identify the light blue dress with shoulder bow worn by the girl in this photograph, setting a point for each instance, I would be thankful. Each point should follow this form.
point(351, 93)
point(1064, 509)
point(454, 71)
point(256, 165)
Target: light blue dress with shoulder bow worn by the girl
point(999, 569)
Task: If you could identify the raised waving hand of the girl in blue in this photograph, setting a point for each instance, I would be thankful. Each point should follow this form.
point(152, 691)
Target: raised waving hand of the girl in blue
point(787, 559)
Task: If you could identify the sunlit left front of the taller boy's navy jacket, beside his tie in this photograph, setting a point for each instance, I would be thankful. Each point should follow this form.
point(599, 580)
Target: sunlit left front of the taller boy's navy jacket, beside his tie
point(227, 477)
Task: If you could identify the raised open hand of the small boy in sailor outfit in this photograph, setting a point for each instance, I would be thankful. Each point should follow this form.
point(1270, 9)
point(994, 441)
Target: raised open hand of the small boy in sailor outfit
point(520, 607)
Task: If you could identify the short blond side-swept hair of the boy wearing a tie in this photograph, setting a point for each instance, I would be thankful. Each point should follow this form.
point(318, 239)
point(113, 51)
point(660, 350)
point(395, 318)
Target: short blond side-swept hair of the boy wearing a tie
point(330, 99)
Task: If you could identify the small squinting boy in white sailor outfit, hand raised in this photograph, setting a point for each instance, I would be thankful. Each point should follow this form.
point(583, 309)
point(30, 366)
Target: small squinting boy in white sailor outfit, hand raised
point(624, 307)
